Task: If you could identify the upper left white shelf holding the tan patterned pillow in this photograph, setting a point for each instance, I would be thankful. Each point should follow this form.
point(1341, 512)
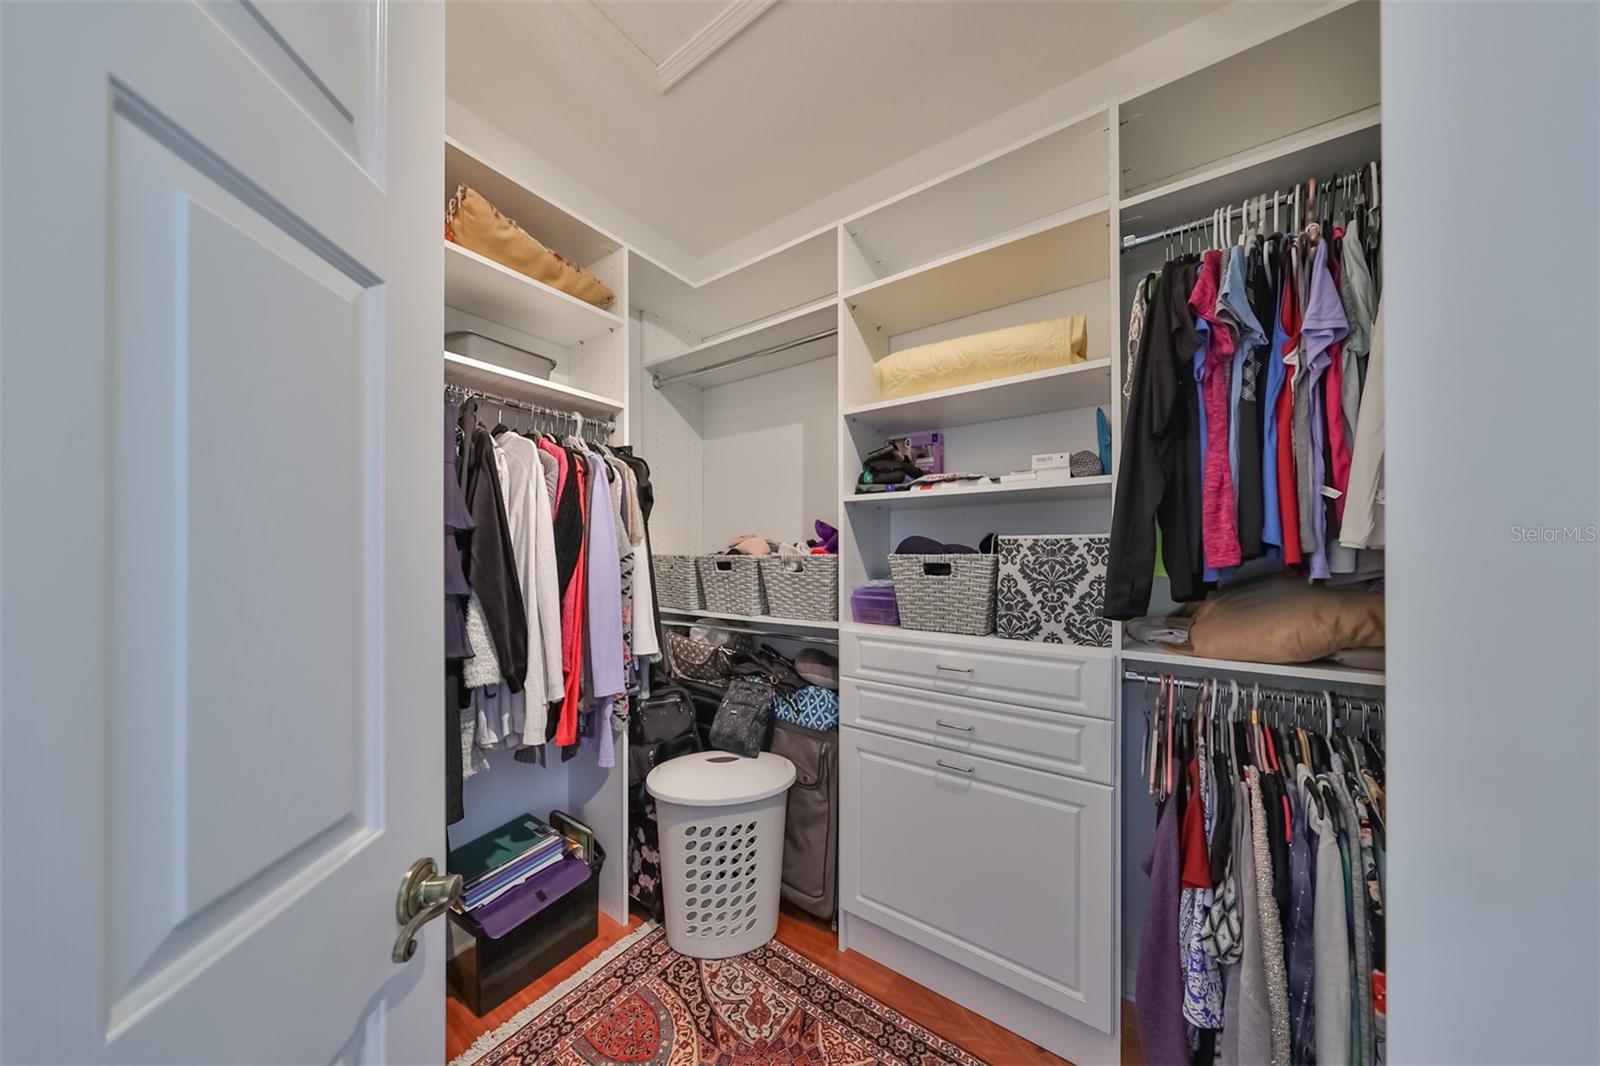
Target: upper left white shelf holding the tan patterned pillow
point(486, 289)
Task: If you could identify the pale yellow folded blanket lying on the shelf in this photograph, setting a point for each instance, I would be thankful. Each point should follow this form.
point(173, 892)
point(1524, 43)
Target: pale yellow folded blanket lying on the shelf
point(983, 358)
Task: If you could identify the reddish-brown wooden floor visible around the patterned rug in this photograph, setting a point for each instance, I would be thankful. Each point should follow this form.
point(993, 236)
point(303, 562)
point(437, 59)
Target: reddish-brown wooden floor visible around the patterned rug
point(818, 944)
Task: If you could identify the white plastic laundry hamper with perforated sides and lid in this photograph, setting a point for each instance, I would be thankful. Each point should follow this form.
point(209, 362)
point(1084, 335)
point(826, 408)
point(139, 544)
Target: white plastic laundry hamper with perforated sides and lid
point(721, 822)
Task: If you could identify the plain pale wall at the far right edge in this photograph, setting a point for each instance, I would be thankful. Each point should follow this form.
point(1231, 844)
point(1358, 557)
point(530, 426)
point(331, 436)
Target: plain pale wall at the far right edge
point(1492, 167)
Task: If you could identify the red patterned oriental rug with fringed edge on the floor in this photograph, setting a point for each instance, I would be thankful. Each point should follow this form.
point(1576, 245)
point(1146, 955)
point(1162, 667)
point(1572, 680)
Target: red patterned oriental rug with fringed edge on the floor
point(646, 1003)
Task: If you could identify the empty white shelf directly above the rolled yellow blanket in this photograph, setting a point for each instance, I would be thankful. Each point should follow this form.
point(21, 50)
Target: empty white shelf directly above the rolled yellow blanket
point(1062, 252)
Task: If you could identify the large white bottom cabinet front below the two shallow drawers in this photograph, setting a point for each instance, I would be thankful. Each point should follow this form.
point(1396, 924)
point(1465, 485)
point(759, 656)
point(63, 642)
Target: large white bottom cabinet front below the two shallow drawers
point(1004, 870)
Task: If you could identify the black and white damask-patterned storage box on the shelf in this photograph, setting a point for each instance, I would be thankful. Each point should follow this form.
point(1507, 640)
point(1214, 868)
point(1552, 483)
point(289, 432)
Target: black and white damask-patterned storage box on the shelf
point(1052, 590)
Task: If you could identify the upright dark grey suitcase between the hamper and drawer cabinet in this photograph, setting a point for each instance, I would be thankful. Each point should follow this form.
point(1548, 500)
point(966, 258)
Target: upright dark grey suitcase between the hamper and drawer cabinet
point(812, 822)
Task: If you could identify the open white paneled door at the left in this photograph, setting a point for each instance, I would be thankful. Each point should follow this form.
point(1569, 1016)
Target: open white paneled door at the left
point(222, 531)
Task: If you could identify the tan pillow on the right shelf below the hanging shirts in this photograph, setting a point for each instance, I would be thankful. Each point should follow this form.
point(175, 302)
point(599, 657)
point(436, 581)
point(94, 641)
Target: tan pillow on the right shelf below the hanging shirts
point(1286, 620)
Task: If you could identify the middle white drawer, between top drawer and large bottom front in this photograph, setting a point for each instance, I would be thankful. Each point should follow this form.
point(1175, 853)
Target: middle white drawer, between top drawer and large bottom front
point(1041, 739)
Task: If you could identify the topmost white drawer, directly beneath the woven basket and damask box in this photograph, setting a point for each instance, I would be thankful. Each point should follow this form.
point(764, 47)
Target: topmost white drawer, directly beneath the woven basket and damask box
point(1009, 671)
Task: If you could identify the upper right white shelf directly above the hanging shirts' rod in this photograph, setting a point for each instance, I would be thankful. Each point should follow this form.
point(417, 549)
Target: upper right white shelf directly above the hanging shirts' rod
point(1326, 150)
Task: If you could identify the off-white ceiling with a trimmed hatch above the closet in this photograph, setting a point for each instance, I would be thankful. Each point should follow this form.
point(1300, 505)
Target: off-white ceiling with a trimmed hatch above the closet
point(772, 114)
